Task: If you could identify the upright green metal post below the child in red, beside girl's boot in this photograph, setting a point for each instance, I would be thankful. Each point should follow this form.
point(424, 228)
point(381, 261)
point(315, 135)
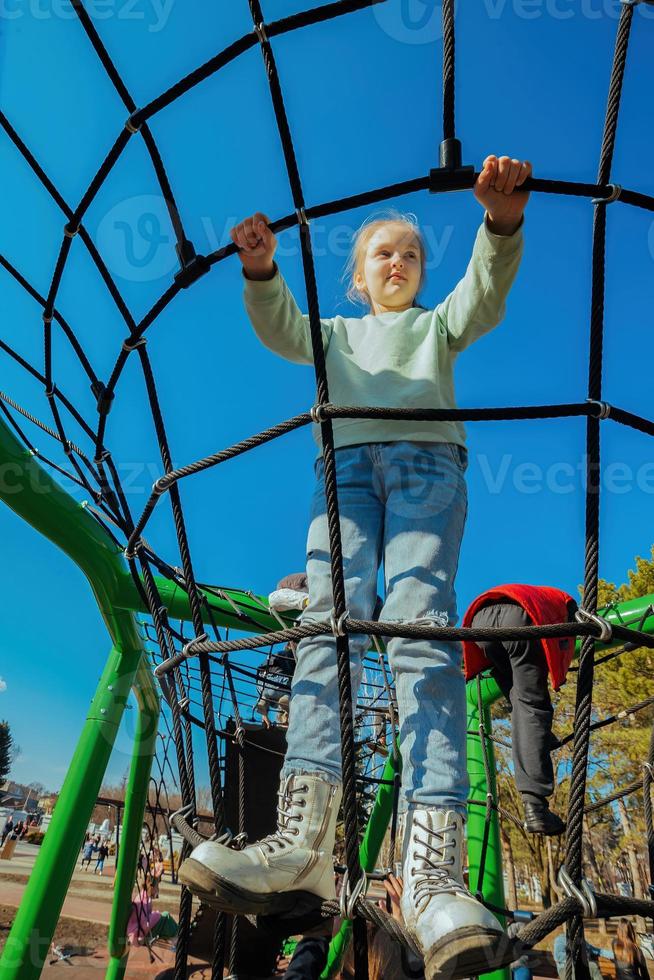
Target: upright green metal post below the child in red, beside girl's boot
point(491, 884)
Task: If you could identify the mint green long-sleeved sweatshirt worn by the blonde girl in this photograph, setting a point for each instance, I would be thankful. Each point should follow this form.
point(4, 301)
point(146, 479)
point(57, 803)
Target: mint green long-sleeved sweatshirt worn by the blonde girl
point(403, 360)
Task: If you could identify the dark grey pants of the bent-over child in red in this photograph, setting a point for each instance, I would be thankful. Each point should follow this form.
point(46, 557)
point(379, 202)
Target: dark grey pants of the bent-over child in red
point(520, 669)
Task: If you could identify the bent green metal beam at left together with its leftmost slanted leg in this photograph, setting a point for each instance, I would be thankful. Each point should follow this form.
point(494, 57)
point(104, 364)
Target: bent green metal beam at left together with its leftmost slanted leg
point(36, 497)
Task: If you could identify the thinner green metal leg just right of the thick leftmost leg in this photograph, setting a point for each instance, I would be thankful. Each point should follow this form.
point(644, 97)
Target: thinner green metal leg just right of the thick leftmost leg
point(136, 796)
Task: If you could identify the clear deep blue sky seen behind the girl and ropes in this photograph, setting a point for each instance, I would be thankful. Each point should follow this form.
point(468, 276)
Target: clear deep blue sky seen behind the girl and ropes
point(363, 97)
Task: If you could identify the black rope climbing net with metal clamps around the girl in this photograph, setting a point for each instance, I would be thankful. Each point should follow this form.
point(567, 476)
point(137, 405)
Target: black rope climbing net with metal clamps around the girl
point(202, 677)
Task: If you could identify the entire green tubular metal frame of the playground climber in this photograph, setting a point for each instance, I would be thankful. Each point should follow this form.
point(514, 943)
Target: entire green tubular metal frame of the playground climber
point(36, 497)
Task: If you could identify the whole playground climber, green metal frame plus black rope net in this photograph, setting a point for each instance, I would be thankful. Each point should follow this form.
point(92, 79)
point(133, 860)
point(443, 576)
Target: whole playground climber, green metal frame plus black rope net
point(132, 579)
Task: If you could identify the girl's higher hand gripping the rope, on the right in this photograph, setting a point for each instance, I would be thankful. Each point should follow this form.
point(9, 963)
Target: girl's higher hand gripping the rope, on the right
point(495, 189)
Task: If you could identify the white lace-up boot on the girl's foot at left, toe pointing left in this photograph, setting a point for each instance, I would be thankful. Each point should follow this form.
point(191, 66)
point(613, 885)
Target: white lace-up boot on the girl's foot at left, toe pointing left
point(261, 878)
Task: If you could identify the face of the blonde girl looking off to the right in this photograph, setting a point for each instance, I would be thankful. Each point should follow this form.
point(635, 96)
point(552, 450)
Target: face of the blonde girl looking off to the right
point(392, 268)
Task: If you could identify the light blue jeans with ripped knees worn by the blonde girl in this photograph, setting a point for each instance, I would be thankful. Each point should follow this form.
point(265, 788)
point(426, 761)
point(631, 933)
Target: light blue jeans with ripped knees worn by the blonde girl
point(404, 503)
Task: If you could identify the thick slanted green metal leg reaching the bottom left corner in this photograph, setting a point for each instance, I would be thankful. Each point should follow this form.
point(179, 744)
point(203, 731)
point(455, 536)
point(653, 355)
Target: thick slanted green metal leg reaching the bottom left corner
point(31, 934)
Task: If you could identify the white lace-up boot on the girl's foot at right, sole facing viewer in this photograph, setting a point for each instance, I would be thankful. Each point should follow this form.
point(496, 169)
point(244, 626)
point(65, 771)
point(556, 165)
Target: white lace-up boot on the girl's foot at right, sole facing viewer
point(458, 936)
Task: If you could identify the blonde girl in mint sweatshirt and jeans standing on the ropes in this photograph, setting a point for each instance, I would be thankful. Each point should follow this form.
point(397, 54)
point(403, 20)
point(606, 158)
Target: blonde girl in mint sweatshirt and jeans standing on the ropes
point(402, 499)
